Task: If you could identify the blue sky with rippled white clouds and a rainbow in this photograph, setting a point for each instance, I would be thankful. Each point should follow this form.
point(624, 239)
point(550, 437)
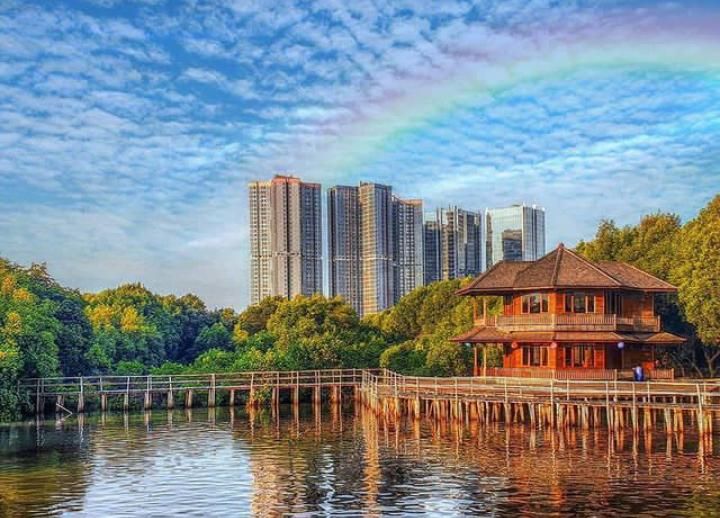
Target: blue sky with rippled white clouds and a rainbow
point(129, 130)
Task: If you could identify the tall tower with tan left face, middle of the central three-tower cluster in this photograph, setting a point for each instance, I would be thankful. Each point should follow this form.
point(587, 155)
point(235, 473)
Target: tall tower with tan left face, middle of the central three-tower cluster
point(376, 247)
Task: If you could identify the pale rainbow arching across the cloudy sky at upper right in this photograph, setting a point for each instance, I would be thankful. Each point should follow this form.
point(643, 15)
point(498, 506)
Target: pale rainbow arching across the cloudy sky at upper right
point(689, 45)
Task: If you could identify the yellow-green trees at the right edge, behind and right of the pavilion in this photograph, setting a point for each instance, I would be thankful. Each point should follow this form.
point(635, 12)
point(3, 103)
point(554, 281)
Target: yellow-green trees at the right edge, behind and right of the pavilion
point(686, 255)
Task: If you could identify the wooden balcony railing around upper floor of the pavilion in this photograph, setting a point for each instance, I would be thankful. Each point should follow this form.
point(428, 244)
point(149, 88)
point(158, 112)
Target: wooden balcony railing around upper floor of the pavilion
point(571, 322)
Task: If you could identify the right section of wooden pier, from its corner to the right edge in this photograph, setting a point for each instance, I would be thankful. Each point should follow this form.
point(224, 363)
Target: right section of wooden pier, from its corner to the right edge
point(615, 405)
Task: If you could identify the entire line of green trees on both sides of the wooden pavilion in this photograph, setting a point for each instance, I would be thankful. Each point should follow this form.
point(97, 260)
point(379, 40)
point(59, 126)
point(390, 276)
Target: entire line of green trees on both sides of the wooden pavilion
point(49, 330)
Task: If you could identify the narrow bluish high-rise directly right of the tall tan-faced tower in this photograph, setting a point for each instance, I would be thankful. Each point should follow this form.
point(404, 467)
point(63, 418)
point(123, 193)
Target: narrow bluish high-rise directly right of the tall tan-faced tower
point(408, 242)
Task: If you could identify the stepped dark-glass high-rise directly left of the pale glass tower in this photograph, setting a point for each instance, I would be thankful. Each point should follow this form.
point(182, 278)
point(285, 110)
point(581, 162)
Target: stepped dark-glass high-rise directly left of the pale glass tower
point(453, 245)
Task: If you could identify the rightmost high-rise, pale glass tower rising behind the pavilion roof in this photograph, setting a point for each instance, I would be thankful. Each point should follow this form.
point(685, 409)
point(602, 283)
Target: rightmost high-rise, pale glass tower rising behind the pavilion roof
point(515, 233)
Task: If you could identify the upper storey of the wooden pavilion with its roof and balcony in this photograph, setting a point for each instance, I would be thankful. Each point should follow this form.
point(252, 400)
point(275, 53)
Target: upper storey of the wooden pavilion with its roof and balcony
point(566, 292)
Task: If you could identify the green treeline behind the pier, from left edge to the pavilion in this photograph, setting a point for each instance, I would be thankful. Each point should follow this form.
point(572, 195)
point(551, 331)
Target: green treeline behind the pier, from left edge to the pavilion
point(49, 330)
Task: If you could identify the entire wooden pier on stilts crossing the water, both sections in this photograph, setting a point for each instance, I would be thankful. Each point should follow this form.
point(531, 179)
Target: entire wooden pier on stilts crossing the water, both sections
point(616, 405)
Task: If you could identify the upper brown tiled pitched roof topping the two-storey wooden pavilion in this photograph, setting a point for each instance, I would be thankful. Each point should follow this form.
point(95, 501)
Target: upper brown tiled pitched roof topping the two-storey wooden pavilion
point(562, 269)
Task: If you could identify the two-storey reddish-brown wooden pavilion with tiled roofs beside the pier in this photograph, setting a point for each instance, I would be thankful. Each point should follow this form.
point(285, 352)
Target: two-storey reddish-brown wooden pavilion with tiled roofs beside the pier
point(563, 312)
